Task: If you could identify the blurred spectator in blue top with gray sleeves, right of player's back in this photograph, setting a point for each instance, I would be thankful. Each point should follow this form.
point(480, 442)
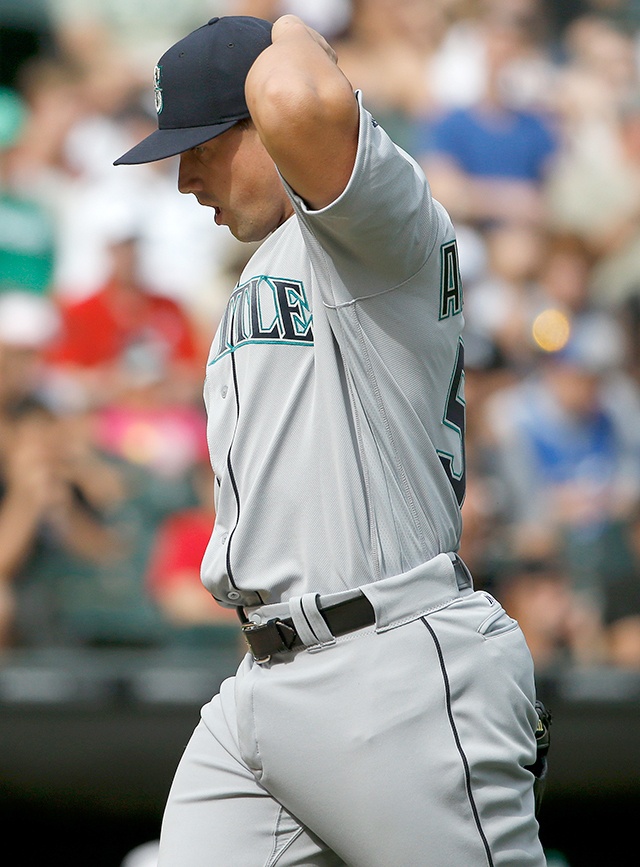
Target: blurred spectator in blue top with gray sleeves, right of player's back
point(567, 454)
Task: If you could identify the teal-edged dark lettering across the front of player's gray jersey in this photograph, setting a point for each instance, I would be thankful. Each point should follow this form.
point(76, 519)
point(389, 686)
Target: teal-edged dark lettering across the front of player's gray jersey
point(265, 310)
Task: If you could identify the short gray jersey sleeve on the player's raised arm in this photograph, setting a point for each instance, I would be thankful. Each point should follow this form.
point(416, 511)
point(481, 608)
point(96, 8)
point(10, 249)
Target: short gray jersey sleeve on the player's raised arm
point(385, 225)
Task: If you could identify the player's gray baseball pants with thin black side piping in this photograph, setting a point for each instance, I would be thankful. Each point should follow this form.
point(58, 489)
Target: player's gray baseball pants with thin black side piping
point(399, 745)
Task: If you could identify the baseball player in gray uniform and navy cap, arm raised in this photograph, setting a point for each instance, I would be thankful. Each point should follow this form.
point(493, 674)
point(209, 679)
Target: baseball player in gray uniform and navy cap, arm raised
point(385, 712)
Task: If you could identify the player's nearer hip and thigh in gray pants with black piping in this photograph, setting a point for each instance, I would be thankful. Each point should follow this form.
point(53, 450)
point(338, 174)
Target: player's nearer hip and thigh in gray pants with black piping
point(437, 710)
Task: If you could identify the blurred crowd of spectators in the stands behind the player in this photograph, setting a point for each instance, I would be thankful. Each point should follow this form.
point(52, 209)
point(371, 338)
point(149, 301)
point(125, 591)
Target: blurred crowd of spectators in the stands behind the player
point(525, 115)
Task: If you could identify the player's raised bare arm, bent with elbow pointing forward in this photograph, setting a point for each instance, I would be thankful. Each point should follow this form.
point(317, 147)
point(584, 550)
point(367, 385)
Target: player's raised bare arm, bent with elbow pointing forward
point(305, 111)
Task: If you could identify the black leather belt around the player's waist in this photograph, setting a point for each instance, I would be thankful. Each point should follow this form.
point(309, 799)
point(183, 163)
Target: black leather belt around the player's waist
point(279, 636)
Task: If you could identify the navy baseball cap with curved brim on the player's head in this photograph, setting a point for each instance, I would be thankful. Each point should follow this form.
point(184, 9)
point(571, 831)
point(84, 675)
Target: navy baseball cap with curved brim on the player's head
point(199, 86)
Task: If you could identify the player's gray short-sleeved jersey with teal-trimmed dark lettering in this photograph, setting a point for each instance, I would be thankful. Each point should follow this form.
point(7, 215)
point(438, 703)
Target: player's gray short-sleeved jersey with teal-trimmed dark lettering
point(334, 392)
